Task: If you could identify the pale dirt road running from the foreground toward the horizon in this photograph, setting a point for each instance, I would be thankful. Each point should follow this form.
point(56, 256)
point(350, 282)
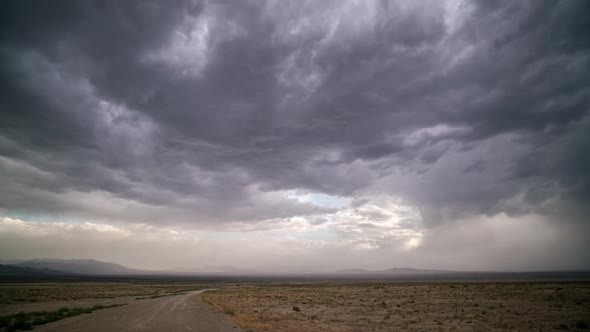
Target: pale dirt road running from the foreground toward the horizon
point(171, 313)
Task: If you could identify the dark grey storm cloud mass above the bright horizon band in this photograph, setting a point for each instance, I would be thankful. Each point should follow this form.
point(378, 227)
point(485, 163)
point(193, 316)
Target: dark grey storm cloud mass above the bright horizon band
point(200, 111)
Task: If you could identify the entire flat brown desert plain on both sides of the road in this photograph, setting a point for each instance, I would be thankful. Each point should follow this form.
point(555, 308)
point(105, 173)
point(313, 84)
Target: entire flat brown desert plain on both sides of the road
point(317, 306)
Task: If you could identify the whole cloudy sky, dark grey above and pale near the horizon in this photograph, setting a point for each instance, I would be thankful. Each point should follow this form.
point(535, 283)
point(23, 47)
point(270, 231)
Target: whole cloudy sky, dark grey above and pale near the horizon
point(297, 135)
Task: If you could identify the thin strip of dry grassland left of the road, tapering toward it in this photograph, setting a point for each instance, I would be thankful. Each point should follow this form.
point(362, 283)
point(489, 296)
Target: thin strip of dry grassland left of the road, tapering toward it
point(12, 293)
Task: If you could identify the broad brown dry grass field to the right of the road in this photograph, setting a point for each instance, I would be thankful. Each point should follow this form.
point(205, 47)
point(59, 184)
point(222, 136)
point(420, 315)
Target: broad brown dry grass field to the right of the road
point(403, 307)
